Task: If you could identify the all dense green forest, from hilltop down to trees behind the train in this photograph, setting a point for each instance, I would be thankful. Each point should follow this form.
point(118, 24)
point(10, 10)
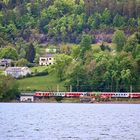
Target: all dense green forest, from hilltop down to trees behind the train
point(26, 25)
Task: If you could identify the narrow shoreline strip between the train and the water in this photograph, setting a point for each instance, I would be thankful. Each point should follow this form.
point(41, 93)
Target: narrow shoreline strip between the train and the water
point(79, 100)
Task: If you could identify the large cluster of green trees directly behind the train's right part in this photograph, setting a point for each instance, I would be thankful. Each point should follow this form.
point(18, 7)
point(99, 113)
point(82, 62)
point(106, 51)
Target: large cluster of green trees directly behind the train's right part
point(105, 70)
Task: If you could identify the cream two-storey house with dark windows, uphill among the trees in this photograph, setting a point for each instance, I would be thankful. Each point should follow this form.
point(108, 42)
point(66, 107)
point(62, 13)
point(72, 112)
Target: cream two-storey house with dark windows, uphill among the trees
point(46, 60)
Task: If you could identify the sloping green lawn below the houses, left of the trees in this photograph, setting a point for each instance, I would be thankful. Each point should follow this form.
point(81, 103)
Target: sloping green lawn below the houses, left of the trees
point(41, 83)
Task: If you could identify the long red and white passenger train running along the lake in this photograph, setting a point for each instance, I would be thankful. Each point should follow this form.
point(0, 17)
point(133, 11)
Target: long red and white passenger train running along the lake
point(86, 94)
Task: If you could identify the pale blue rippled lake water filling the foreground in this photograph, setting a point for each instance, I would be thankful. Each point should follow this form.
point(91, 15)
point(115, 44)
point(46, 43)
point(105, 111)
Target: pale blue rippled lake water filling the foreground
point(40, 121)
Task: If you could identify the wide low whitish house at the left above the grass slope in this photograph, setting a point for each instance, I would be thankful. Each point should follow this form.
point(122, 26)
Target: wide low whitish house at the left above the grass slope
point(17, 71)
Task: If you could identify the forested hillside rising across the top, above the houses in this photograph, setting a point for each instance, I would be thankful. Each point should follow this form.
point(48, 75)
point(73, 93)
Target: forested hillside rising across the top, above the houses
point(52, 21)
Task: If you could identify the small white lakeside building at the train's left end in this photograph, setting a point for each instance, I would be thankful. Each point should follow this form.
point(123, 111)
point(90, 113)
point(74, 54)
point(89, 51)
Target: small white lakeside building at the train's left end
point(27, 97)
